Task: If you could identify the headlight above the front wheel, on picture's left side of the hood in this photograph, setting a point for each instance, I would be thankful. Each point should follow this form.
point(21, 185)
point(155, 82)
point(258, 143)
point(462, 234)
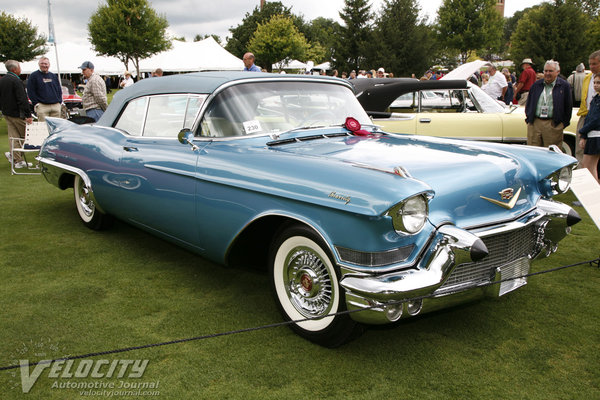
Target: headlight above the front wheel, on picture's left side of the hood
point(410, 215)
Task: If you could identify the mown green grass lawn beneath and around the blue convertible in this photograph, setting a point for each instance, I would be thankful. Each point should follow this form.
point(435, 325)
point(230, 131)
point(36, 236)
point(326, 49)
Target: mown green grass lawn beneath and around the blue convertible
point(67, 290)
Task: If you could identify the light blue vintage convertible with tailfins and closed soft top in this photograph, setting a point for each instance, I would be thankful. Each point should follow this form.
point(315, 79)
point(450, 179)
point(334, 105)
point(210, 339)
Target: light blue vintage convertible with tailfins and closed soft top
point(289, 172)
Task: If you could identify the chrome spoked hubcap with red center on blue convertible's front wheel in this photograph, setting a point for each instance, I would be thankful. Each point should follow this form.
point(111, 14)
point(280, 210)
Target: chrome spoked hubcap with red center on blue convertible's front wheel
point(308, 283)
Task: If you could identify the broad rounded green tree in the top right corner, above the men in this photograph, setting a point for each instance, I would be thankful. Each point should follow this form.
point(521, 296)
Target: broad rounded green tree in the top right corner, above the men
point(553, 31)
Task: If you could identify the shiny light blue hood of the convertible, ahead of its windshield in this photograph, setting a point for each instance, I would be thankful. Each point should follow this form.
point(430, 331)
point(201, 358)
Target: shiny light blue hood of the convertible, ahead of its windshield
point(458, 172)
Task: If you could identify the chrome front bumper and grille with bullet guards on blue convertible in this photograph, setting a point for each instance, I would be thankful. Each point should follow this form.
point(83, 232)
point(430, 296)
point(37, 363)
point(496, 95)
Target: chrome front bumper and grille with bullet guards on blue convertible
point(457, 261)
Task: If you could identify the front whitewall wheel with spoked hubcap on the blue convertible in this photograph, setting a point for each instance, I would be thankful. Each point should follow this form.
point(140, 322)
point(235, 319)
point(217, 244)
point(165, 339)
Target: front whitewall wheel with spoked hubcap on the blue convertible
point(306, 286)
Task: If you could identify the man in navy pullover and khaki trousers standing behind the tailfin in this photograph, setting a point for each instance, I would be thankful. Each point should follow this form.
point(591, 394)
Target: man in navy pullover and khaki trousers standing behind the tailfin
point(44, 91)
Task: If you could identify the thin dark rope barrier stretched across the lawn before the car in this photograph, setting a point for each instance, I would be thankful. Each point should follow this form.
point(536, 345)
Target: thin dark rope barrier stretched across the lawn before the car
point(595, 262)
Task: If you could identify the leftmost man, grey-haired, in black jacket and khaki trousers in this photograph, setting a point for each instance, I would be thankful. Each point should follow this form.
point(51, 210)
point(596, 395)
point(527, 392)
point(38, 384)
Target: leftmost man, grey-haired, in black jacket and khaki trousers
point(15, 107)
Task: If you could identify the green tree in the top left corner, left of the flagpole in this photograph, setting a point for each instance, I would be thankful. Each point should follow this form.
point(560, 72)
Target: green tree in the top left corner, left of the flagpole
point(19, 40)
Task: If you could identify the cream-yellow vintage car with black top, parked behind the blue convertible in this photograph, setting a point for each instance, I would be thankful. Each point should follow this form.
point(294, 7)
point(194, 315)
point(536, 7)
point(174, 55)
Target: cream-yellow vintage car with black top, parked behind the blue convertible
point(446, 108)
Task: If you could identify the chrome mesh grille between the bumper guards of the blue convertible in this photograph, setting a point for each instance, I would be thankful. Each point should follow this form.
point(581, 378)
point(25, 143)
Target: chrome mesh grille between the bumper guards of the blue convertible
point(504, 248)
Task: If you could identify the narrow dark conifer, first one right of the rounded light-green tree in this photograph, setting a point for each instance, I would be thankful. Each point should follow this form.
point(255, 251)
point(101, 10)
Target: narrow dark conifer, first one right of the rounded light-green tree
point(354, 36)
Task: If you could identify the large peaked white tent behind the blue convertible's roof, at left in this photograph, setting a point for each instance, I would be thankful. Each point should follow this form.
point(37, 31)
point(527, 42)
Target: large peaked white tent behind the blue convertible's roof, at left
point(205, 55)
